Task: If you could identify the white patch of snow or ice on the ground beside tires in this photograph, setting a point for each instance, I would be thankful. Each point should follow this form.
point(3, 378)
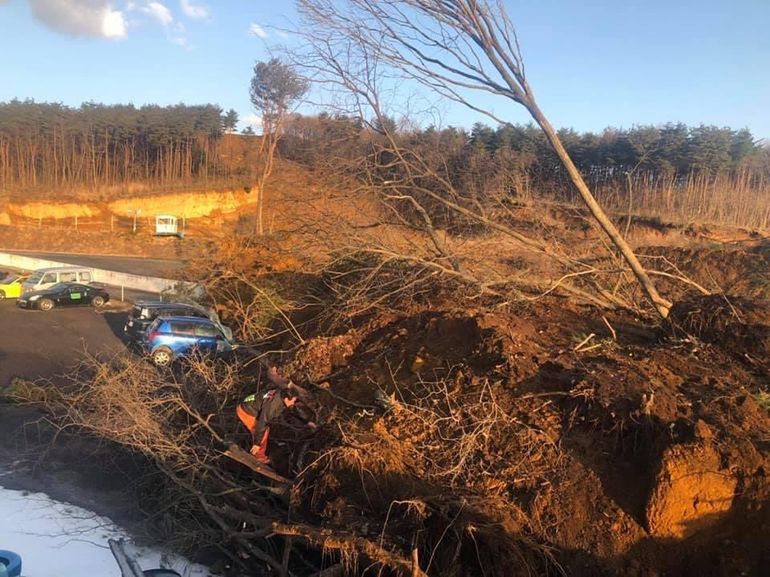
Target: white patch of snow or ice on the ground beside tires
point(56, 539)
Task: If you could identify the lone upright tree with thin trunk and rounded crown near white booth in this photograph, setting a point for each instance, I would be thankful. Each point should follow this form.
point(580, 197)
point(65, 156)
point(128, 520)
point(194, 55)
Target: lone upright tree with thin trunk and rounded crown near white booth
point(275, 88)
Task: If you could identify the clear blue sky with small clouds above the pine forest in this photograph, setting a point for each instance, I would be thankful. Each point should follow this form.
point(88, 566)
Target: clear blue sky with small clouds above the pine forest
point(591, 63)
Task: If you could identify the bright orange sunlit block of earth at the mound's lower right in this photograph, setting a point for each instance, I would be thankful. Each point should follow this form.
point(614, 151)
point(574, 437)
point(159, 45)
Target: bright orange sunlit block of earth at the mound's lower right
point(691, 492)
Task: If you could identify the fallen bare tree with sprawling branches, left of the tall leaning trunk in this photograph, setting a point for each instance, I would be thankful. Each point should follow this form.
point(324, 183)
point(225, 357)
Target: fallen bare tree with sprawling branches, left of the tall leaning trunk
point(422, 200)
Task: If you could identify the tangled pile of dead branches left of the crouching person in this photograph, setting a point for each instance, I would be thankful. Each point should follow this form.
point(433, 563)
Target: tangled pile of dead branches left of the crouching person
point(182, 423)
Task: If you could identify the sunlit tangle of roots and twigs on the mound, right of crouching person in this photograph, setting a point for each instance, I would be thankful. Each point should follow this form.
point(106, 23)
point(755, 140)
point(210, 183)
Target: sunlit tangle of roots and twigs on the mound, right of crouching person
point(439, 471)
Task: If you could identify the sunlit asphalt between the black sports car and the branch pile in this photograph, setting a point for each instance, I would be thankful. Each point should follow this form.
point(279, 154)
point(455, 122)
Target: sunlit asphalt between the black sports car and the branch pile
point(35, 345)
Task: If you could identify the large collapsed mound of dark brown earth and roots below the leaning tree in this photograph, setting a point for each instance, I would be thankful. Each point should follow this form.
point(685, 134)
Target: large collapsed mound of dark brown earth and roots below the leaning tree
point(501, 445)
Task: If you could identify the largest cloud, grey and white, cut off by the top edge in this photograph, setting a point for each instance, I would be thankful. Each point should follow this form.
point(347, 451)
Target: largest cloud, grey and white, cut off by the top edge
point(90, 18)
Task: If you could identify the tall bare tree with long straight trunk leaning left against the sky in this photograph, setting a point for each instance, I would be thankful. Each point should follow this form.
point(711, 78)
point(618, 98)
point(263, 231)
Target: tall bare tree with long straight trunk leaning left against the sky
point(458, 47)
